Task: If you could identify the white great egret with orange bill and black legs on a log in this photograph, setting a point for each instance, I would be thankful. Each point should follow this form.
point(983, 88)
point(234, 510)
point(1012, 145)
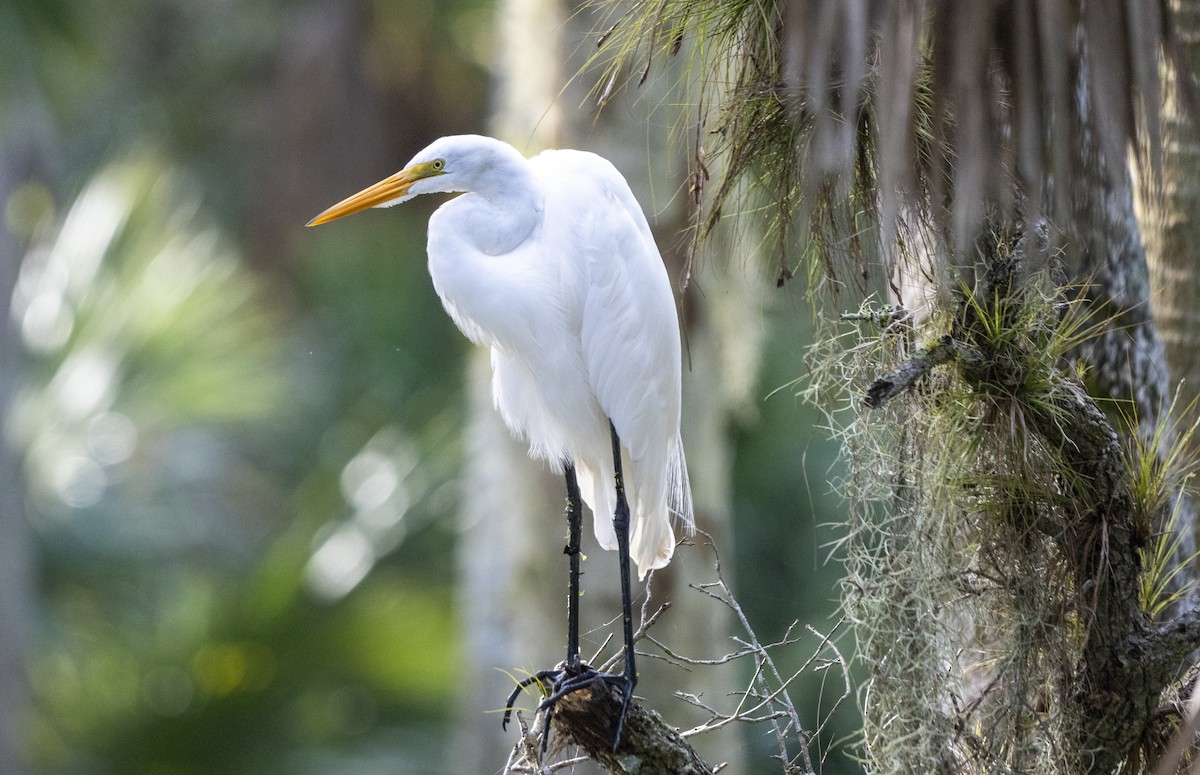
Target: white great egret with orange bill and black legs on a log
point(550, 262)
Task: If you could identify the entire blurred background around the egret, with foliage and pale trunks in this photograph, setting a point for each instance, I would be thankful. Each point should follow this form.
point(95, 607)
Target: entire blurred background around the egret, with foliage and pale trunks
point(256, 514)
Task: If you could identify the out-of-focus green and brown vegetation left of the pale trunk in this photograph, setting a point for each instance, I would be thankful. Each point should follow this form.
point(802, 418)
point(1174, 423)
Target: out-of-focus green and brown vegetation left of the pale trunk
point(196, 431)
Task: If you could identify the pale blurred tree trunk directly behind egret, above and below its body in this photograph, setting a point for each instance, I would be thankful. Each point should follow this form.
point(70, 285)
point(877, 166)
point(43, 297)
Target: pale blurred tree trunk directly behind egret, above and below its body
point(513, 574)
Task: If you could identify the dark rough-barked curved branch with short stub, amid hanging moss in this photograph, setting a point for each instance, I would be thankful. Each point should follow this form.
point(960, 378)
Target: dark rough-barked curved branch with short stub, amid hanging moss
point(1113, 692)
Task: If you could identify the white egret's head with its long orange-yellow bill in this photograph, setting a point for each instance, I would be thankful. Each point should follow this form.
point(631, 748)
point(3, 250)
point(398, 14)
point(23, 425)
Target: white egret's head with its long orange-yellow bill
point(451, 164)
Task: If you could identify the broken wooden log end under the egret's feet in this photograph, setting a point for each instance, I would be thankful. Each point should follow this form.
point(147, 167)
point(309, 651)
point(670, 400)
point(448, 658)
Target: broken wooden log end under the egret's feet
point(649, 746)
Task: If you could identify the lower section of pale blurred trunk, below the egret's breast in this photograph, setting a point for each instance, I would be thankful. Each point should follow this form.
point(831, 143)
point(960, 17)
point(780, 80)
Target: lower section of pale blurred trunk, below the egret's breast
point(512, 575)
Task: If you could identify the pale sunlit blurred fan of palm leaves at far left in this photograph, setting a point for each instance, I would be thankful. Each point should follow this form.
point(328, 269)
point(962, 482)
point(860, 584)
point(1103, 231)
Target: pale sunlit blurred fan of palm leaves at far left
point(140, 315)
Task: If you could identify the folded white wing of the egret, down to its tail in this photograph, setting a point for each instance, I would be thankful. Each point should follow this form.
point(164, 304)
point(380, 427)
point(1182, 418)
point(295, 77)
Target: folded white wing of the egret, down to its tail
point(629, 335)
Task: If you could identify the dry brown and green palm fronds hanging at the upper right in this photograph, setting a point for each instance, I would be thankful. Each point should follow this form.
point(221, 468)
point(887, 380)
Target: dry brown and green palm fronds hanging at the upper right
point(850, 107)
